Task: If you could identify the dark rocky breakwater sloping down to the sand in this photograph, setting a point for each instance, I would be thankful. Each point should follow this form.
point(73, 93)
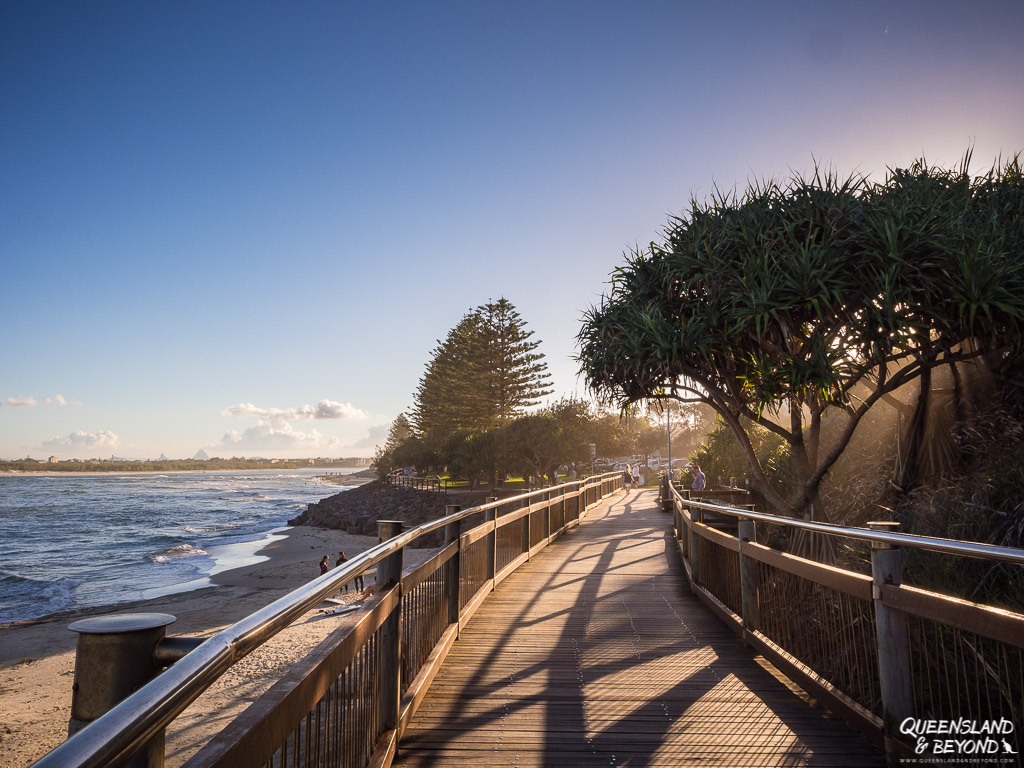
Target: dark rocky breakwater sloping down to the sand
point(358, 510)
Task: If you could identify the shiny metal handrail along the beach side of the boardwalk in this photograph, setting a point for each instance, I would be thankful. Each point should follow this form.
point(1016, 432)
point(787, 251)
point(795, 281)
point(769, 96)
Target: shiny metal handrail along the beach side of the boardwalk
point(122, 732)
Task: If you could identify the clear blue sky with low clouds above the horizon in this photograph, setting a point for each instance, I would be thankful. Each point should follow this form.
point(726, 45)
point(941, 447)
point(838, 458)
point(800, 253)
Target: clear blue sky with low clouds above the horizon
point(243, 227)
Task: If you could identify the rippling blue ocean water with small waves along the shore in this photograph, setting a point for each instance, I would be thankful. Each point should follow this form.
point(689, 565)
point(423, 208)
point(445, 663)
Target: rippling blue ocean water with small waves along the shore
point(76, 542)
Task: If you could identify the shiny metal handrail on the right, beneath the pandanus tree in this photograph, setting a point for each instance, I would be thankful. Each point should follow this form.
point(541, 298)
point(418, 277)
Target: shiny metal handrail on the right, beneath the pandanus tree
point(934, 544)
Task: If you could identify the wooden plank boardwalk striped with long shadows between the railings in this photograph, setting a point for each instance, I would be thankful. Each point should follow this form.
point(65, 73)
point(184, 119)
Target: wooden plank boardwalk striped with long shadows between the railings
point(596, 654)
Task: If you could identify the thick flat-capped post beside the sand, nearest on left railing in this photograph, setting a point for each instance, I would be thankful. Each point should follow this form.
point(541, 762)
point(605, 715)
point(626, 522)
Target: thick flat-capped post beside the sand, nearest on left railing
point(114, 659)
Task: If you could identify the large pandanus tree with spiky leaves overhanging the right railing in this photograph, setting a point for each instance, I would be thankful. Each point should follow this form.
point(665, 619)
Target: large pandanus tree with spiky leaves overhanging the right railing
point(796, 302)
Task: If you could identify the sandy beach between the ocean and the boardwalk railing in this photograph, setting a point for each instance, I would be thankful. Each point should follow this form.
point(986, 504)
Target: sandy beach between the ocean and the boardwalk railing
point(37, 659)
